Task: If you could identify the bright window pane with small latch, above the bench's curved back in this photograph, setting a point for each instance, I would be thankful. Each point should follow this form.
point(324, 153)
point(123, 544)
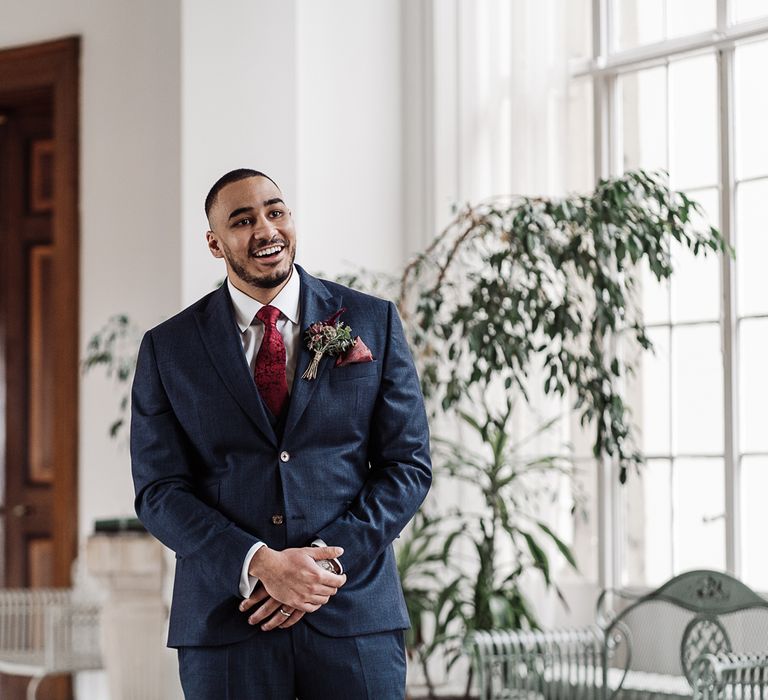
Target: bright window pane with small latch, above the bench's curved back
point(699, 514)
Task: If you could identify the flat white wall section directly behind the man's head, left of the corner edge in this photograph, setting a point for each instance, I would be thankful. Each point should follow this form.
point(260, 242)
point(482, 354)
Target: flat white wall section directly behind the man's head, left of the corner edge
point(239, 98)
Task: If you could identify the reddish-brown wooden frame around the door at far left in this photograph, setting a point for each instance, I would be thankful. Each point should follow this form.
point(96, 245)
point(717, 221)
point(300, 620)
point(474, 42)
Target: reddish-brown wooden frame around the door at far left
point(54, 66)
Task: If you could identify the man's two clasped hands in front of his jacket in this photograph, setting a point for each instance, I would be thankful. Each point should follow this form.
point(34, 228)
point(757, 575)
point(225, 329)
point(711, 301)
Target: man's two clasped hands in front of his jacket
point(290, 581)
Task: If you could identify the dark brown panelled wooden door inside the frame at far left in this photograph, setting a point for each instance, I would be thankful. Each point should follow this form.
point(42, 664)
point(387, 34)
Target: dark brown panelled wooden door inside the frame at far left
point(26, 154)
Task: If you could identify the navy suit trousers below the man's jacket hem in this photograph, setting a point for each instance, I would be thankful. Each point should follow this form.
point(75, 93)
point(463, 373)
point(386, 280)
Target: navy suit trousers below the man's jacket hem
point(297, 663)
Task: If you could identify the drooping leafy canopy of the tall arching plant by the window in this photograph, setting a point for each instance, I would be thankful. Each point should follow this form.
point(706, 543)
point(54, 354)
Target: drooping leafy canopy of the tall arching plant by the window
point(515, 283)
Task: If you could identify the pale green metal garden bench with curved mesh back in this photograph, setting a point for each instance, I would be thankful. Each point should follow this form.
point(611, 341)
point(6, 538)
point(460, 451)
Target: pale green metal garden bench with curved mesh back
point(703, 635)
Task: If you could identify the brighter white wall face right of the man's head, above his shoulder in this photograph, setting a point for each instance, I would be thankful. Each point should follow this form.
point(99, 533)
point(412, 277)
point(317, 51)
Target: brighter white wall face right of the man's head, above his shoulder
point(349, 207)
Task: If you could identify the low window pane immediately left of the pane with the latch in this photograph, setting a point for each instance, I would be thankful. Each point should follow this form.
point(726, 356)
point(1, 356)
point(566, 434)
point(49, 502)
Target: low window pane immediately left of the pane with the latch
point(647, 510)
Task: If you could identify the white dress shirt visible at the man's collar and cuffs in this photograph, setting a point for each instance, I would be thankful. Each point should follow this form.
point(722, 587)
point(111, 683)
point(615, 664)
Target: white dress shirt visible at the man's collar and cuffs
point(288, 302)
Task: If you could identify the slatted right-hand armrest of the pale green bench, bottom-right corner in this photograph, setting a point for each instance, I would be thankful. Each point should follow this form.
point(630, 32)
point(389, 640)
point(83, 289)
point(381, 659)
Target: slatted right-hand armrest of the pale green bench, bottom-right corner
point(713, 673)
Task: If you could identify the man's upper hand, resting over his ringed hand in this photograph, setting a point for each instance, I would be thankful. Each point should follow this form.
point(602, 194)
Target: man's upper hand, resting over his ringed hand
point(292, 578)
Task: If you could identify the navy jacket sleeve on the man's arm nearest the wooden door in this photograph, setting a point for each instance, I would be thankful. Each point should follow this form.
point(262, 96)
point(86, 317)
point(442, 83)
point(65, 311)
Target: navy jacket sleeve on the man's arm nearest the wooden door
point(167, 489)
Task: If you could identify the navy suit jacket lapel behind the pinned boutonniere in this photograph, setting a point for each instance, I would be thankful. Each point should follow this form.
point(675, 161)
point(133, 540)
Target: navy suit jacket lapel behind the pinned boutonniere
point(317, 304)
